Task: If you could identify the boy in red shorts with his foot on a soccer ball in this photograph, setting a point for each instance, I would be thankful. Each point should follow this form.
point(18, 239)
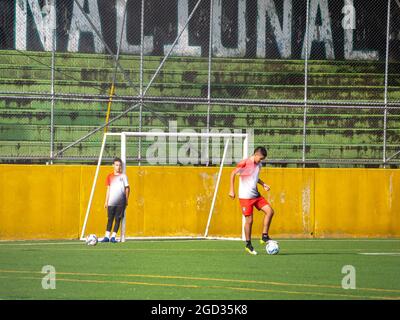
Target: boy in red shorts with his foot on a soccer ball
point(249, 197)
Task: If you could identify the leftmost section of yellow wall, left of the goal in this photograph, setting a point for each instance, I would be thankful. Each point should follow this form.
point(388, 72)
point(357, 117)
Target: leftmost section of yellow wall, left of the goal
point(39, 202)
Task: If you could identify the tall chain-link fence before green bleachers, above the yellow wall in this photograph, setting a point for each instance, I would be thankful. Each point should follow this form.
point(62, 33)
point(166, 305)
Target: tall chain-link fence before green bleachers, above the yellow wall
point(315, 81)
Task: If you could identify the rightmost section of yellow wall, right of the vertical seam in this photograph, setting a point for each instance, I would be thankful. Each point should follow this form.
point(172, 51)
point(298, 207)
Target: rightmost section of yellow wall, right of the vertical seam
point(357, 202)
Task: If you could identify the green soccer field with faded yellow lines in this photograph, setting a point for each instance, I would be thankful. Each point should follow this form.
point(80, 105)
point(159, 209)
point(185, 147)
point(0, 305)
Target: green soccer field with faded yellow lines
point(205, 269)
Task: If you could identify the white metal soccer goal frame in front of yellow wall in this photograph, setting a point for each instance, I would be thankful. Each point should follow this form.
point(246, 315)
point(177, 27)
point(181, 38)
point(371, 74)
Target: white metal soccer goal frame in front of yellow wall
point(124, 135)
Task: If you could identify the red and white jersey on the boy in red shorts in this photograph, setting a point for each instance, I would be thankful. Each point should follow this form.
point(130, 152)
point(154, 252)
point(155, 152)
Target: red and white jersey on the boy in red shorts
point(249, 174)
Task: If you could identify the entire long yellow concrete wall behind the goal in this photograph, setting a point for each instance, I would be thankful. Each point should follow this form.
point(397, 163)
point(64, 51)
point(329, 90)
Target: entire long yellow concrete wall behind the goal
point(49, 202)
